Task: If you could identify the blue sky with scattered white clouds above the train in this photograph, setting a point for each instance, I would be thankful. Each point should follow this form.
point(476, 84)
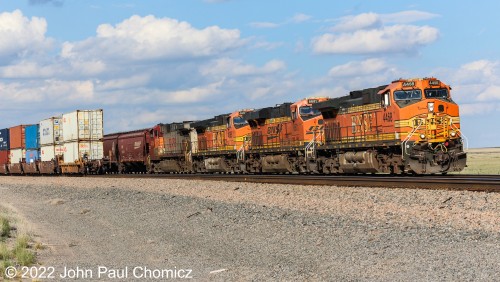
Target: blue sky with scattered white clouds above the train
point(157, 61)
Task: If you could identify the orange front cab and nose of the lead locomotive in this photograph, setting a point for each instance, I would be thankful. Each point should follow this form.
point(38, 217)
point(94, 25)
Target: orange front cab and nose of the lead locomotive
point(427, 123)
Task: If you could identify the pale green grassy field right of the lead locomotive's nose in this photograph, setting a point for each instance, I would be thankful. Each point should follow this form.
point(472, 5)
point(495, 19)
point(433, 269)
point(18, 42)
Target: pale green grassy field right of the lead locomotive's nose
point(483, 161)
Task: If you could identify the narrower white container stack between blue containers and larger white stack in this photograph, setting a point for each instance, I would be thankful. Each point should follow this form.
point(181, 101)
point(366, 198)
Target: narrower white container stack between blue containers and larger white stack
point(50, 138)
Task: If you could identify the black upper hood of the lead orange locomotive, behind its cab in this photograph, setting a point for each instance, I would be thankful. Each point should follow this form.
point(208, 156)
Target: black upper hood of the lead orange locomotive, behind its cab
point(355, 98)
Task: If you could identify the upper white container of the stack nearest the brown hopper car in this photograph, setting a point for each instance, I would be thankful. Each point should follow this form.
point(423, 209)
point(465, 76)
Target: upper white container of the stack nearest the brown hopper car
point(83, 125)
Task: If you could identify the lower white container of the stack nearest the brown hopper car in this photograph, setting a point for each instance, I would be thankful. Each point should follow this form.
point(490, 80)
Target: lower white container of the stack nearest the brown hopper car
point(77, 149)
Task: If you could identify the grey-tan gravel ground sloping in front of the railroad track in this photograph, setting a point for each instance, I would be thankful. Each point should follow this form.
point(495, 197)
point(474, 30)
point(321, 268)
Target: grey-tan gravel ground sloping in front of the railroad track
point(248, 231)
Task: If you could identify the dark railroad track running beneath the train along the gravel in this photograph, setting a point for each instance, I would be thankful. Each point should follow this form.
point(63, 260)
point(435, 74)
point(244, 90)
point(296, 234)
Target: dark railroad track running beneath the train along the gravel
point(485, 183)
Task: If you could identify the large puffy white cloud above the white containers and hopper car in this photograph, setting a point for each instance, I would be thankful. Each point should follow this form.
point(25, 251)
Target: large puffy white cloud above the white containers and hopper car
point(150, 38)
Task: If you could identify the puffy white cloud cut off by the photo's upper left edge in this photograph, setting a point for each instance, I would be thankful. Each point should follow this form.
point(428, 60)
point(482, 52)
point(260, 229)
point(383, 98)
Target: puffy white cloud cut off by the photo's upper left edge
point(21, 35)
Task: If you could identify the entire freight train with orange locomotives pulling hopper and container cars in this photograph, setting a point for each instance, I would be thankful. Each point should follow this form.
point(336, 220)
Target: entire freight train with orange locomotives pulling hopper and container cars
point(410, 126)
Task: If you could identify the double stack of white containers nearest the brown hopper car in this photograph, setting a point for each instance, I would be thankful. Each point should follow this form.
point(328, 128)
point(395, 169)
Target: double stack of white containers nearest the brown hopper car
point(82, 135)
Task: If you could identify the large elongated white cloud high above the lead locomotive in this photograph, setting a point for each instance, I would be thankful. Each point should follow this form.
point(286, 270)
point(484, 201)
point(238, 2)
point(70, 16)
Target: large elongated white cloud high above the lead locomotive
point(390, 39)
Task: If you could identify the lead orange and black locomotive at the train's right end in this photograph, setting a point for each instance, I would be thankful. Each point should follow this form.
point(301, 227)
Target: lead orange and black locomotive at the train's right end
point(408, 126)
